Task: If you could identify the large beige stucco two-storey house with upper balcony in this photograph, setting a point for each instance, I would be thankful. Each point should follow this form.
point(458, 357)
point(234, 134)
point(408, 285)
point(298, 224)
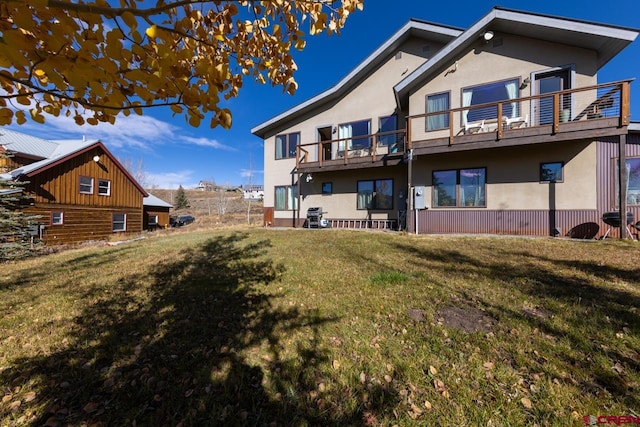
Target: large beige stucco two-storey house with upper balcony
point(499, 128)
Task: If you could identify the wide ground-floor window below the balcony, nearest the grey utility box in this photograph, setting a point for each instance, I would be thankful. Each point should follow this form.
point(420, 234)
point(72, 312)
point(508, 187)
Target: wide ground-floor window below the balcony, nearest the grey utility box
point(459, 188)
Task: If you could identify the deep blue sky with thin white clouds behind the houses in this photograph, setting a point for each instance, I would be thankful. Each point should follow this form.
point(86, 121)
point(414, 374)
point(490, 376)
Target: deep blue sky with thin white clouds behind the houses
point(174, 153)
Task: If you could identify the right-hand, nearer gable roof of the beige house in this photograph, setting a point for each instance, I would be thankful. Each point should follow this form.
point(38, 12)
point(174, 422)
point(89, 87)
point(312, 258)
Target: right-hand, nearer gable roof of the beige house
point(606, 40)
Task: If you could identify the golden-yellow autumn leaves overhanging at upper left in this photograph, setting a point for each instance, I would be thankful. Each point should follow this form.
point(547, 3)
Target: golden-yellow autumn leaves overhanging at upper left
point(79, 59)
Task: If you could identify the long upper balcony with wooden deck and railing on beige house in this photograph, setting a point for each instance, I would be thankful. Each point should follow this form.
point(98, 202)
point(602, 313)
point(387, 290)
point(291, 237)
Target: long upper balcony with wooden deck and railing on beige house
point(582, 113)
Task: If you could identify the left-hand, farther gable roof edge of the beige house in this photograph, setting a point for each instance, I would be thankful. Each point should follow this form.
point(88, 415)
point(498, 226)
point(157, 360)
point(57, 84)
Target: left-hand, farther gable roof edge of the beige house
point(414, 27)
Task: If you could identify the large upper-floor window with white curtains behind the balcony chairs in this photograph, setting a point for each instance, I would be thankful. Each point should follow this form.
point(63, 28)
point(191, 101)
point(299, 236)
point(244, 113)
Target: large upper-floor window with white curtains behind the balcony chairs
point(491, 93)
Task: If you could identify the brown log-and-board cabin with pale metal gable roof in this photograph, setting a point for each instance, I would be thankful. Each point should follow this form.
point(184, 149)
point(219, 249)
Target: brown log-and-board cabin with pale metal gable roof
point(77, 188)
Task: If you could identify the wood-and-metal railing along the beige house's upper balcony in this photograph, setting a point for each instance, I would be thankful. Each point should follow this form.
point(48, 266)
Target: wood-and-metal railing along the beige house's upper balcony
point(492, 121)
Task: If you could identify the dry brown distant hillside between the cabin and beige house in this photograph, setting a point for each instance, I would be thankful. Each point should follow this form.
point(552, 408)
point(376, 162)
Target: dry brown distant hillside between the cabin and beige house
point(207, 207)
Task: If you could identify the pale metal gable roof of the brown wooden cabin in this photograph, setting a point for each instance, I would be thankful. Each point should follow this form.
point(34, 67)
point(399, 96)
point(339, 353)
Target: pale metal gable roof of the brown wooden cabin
point(57, 151)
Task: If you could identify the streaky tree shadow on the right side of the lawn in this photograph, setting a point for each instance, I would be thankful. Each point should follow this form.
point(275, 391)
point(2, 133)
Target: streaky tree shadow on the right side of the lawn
point(556, 284)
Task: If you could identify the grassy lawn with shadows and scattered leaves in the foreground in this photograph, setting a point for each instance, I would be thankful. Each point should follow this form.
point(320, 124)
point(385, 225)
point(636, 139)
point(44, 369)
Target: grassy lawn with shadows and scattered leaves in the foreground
point(322, 327)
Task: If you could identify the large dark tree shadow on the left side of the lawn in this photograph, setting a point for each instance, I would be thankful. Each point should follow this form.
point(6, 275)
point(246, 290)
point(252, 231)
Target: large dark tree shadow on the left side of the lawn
point(176, 352)
